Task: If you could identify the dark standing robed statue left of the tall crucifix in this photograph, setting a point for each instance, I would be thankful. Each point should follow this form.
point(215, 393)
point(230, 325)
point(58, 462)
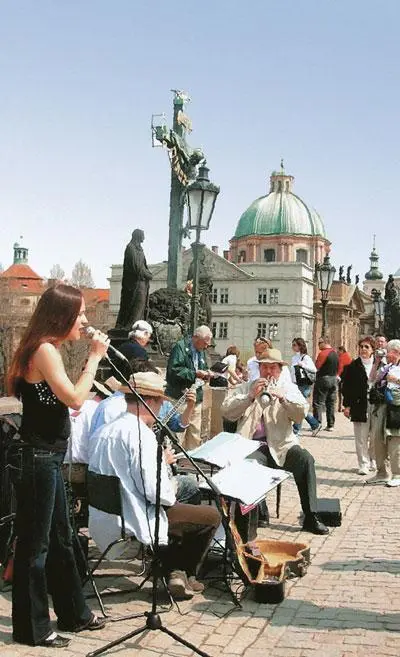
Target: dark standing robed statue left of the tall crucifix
point(136, 279)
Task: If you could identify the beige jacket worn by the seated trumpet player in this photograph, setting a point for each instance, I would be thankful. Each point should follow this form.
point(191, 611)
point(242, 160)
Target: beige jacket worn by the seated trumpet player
point(278, 416)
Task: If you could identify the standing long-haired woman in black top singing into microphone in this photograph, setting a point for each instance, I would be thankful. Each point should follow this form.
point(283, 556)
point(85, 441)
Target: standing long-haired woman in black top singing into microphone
point(44, 558)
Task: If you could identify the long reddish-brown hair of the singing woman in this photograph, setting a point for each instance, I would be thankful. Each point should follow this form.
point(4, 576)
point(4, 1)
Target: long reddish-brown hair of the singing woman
point(52, 320)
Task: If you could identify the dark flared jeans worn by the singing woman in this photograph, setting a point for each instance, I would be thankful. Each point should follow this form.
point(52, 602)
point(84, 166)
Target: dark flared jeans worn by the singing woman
point(44, 558)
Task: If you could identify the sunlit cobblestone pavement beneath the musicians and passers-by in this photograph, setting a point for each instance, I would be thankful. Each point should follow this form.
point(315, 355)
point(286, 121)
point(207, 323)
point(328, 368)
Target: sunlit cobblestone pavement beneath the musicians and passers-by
point(347, 605)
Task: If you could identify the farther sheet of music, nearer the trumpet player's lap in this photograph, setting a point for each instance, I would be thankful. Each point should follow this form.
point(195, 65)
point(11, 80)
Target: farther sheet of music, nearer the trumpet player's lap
point(224, 449)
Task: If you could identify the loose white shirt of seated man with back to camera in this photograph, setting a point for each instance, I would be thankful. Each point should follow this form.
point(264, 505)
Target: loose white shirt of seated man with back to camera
point(127, 448)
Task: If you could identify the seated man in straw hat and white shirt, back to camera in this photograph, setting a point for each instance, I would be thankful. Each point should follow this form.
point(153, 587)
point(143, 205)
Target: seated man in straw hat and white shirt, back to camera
point(127, 448)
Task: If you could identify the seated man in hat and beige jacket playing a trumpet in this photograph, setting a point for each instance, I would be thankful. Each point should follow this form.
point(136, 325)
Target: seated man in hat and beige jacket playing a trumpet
point(269, 417)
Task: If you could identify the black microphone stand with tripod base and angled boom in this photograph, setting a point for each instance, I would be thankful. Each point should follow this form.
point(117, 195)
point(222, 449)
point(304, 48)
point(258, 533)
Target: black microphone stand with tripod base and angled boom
point(153, 619)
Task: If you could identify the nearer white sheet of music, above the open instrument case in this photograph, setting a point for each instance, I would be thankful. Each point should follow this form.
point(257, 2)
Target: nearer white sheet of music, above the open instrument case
point(247, 481)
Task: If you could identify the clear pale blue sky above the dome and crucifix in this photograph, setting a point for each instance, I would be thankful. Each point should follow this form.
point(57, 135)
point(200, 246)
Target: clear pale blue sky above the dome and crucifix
point(313, 81)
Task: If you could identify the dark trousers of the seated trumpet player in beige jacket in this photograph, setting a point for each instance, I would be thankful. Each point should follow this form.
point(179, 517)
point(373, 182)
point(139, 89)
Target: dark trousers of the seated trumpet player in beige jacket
point(301, 464)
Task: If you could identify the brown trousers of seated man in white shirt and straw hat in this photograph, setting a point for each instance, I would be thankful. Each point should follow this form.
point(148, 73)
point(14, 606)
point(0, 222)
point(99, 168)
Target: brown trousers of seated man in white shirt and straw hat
point(190, 529)
